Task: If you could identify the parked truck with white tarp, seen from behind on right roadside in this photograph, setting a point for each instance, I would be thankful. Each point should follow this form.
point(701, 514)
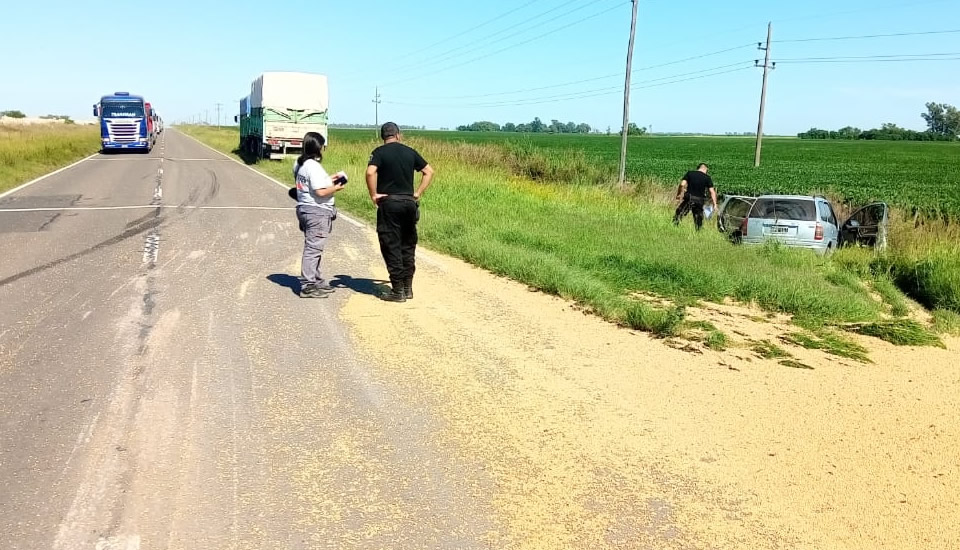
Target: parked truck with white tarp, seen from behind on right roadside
point(281, 108)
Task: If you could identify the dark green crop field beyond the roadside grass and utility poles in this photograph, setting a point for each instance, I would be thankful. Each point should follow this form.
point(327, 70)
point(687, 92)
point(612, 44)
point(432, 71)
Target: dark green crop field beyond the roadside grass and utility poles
point(908, 175)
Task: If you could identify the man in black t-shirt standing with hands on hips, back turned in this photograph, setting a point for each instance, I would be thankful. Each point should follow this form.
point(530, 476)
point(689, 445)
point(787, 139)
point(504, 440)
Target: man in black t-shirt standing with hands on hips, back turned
point(390, 182)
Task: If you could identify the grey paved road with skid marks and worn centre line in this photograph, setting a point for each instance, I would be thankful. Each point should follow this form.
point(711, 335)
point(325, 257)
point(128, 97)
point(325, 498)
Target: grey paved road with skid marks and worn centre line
point(162, 386)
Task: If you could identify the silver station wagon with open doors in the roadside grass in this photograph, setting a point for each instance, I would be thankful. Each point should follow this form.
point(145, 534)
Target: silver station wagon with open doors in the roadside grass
point(802, 222)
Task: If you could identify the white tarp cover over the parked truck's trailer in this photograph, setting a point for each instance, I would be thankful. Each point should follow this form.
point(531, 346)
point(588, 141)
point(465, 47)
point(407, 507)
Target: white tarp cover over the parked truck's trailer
point(290, 91)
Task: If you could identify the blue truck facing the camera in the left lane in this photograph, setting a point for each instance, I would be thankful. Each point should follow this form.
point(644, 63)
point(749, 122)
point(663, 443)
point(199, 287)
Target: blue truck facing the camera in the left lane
point(124, 122)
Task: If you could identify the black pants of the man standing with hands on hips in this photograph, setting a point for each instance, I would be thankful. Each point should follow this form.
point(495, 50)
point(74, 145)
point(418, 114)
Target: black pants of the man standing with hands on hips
point(397, 217)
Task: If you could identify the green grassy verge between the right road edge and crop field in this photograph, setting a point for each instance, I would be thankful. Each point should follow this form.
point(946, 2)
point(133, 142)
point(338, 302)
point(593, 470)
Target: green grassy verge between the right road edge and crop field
point(604, 248)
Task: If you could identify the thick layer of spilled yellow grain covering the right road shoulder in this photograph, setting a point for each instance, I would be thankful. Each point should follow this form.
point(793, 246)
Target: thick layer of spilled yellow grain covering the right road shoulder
point(597, 436)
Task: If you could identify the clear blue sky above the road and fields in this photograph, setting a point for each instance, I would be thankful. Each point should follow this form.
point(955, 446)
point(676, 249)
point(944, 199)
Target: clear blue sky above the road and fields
point(186, 56)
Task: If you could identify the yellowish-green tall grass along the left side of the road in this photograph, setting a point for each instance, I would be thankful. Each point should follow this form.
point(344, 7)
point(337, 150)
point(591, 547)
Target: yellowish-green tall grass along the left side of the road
point(29, 151)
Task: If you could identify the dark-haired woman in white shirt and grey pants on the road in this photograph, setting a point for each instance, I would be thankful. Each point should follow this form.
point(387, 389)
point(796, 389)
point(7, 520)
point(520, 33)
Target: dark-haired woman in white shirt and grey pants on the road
point(315, 211)
